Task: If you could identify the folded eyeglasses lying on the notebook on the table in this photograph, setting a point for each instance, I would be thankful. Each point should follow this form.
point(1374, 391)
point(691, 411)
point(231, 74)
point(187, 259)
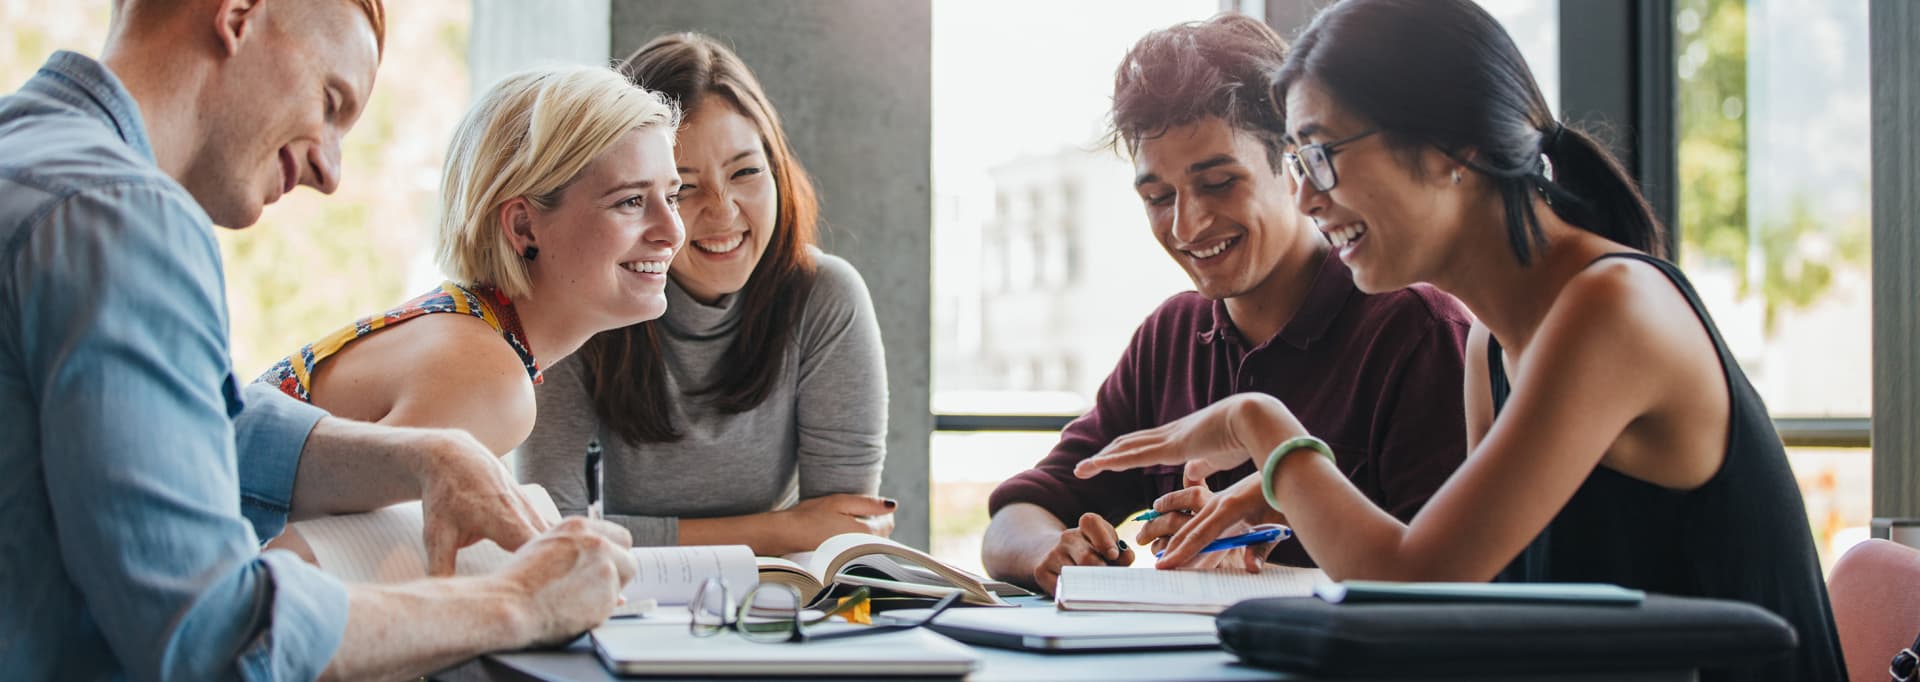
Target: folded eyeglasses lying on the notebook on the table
point(773, 612)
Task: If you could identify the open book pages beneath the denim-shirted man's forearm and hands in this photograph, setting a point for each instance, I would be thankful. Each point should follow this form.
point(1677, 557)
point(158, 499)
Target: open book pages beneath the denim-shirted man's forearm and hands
point(387, 545)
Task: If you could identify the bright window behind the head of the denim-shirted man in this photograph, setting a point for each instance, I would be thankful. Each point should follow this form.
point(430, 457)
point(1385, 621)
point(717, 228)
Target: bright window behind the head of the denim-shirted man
point(316, 262)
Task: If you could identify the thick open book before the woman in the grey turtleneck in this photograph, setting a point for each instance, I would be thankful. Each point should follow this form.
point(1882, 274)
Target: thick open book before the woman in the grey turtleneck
point(880, 564)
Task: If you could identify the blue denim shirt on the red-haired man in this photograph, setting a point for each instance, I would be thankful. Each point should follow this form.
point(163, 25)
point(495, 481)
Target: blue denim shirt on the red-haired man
point(132, 539)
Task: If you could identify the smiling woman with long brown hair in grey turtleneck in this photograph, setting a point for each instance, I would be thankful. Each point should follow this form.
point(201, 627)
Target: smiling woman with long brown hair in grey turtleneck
point(756, 410)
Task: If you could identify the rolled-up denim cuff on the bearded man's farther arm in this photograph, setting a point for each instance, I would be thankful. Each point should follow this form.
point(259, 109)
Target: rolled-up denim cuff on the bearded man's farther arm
point(270, 433)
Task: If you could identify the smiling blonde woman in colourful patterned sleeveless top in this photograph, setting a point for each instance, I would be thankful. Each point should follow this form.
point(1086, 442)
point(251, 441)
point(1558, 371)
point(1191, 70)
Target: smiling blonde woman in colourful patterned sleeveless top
point(558, 222)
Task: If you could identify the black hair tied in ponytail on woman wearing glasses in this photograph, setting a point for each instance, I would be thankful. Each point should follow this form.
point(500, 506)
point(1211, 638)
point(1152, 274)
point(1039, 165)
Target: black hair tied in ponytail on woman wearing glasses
point(1445, 74)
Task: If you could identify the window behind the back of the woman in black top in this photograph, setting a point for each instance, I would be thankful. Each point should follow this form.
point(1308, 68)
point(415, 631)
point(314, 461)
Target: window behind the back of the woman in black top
point(1775, 218)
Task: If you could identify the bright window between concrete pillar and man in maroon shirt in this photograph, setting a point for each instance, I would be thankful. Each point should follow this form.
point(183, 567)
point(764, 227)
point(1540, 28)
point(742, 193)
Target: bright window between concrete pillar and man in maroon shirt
point(1044, 256)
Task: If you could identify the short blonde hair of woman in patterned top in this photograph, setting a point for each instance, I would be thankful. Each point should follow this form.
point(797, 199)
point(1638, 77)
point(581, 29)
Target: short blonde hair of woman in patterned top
point(529, 137)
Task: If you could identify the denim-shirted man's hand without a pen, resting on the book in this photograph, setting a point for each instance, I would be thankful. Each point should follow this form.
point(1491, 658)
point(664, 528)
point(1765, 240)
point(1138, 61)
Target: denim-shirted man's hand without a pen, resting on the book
point(468, 497)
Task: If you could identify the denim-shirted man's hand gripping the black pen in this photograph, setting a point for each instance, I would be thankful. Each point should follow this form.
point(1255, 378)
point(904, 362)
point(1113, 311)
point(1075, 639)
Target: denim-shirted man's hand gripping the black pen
point(571, 579)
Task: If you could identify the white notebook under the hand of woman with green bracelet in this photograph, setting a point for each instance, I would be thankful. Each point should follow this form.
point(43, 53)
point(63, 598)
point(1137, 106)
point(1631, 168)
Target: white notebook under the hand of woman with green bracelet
point(1122, 589)
